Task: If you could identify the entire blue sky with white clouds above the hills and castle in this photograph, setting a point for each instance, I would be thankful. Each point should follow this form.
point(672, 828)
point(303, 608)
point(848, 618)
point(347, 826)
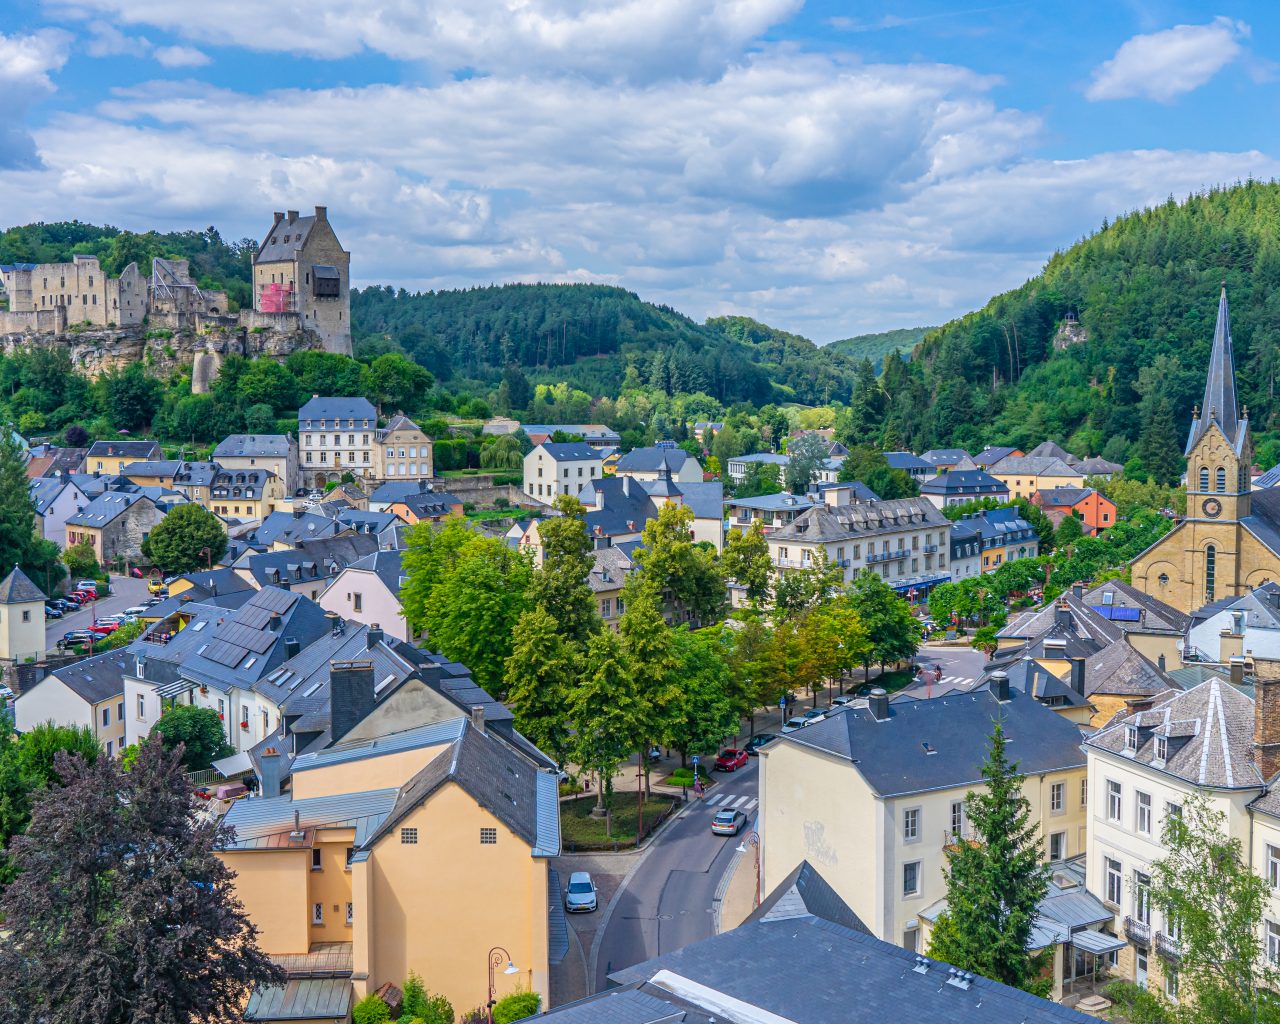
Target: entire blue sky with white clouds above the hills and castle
point(829, 168)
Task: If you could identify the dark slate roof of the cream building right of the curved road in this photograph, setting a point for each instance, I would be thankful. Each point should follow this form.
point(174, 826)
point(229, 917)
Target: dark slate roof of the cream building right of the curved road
point(941, 743)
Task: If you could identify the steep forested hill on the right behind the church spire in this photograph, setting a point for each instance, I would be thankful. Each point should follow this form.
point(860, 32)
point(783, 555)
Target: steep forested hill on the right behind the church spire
point(1124, 380)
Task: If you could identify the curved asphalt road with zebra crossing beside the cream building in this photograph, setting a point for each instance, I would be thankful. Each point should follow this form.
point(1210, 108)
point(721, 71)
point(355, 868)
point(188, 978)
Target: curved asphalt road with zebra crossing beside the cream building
point(668, 903)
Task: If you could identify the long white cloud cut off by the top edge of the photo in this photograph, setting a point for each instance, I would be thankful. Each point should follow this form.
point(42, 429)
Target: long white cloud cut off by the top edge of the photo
point(607, 40)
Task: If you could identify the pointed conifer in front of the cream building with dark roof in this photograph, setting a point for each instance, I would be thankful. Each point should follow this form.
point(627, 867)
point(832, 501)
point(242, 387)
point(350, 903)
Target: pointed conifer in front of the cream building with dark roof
point(995, 883)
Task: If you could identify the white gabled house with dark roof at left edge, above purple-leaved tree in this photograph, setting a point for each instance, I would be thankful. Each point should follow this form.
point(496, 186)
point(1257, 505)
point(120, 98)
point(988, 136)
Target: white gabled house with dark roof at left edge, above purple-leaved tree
point(88, 694)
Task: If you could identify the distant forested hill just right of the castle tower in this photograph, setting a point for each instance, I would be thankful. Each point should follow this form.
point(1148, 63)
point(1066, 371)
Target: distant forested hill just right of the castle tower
point(598, 339)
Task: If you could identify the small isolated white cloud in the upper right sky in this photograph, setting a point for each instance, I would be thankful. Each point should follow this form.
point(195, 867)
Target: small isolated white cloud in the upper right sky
point(1165, 65)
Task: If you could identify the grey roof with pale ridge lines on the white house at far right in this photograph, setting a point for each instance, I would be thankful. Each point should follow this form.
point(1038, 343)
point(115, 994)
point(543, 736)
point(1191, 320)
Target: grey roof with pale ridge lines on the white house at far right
point(1209, 732)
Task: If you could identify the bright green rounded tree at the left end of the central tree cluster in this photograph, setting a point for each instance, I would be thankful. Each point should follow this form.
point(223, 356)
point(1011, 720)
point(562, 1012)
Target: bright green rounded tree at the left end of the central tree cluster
point(476, 606)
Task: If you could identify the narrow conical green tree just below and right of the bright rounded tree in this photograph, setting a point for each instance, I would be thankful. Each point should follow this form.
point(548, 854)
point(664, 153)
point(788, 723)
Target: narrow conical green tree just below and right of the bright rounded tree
point(542, 674)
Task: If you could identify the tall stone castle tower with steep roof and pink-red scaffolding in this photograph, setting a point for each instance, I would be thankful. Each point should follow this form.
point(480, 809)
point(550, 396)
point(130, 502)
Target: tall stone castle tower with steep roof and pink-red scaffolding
point(301, 269)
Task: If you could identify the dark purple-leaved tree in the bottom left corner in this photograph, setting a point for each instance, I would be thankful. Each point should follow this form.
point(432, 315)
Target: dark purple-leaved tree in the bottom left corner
point(136, 921)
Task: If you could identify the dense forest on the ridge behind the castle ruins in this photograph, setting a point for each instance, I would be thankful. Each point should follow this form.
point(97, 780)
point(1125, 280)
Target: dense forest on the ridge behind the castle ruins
point(214, 264)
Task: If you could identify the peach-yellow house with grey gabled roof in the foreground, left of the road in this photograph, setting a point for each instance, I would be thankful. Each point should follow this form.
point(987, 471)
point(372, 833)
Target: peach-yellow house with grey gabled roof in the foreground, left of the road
point(413, 844)
